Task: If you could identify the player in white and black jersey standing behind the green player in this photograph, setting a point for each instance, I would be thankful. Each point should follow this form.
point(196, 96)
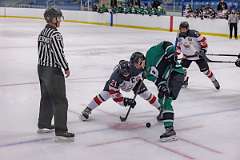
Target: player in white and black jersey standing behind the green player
point(193, 46)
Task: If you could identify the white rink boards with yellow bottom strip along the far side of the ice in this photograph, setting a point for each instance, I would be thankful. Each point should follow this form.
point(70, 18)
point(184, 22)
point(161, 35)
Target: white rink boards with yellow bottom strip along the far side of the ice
point(214, 27)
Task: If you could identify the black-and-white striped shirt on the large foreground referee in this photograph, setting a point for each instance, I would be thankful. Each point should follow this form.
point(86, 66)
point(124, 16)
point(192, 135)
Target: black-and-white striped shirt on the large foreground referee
point(50, 48)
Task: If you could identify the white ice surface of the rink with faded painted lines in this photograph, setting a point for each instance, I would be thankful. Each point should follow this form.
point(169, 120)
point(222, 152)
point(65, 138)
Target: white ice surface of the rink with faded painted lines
point(206, 120)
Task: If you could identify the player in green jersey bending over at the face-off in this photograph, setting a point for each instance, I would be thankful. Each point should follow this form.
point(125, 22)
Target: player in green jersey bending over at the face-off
point(163, 69)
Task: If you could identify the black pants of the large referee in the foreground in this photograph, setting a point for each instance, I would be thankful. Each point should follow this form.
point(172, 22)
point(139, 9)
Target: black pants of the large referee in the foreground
point(53, 98)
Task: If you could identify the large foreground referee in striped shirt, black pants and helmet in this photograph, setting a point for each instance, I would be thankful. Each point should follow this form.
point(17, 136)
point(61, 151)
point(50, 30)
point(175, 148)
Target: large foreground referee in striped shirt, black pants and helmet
point(51, 61)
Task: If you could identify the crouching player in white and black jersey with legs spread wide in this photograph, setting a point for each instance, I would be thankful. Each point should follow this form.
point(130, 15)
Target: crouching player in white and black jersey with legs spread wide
point(126, 76)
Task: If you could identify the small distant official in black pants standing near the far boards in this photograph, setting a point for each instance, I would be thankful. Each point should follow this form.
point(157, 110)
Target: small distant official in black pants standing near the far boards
point(233, 22)
